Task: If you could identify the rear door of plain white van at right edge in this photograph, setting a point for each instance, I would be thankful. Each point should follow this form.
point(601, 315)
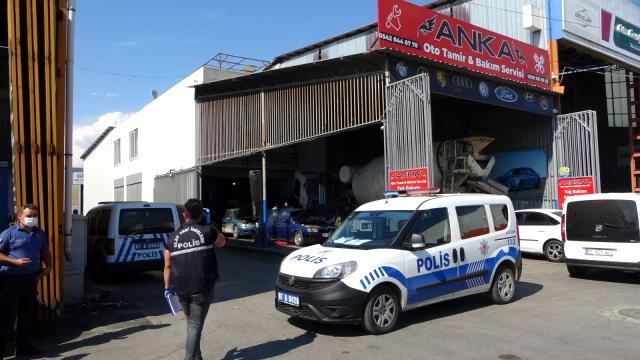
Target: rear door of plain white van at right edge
point(605, 230)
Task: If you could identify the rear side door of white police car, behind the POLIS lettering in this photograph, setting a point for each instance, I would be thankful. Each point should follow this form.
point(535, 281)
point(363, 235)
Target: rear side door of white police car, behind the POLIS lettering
point(474, 250)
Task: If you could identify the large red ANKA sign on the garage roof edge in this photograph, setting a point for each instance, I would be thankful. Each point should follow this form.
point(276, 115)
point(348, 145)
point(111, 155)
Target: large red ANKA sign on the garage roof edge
point(419, 31)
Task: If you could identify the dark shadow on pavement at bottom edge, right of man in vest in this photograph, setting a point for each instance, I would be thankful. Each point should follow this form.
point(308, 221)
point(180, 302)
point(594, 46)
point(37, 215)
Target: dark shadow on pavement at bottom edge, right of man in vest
point(270, 349)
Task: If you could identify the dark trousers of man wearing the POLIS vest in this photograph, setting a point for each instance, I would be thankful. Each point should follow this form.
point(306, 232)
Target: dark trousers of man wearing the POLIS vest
point(195, 308)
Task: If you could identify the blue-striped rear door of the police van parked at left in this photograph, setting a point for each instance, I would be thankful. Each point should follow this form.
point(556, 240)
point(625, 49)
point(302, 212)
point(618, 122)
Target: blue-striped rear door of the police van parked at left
point(143, 232)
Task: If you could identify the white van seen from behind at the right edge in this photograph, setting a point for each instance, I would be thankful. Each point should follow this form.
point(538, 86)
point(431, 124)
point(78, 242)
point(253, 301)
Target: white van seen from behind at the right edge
point(601, 231)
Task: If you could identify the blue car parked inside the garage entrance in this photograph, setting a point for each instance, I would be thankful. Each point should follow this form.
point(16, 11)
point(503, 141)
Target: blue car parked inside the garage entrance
point(298, 226)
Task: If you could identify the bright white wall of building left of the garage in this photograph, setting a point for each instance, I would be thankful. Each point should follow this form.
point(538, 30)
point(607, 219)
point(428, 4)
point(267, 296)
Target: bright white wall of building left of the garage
point(166, 140)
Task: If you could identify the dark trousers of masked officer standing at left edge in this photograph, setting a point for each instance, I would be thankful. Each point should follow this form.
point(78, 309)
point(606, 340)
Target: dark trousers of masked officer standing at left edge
point(17, 298)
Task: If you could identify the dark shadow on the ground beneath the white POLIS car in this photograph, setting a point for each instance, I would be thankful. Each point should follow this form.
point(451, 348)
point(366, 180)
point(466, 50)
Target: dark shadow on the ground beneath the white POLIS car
point(420, 315)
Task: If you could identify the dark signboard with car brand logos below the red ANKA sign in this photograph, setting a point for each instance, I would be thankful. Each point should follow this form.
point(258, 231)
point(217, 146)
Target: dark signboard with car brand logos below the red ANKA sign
point(468, 87)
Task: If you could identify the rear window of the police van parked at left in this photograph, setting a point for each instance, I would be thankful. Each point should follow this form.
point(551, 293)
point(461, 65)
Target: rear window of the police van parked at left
point(146, 221)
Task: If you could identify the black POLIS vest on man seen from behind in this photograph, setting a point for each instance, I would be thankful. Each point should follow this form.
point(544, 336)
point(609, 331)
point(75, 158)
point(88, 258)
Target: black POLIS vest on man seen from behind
point(194, 268)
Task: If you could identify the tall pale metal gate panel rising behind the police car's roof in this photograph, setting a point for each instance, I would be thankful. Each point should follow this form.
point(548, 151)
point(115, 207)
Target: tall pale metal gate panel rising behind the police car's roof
point(407, 126)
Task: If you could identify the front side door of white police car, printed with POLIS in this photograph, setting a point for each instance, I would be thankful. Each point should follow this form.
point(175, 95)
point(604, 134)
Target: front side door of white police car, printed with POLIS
point(431, 272)
